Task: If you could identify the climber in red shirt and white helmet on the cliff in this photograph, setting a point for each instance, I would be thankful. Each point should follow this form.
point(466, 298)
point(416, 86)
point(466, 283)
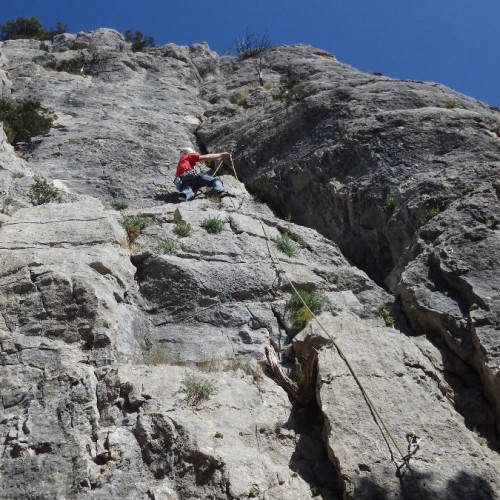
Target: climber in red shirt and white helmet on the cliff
point(188, 181)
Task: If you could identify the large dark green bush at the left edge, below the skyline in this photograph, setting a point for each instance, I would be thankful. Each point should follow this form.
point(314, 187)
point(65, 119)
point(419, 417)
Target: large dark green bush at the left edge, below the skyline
point(24, 120)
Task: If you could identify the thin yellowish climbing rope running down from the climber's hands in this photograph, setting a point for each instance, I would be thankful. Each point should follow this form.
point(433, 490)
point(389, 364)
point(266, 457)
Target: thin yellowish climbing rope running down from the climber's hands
point(413, 440)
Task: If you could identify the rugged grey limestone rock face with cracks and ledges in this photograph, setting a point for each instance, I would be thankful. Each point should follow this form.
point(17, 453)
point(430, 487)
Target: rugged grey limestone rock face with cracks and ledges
point(133, 364)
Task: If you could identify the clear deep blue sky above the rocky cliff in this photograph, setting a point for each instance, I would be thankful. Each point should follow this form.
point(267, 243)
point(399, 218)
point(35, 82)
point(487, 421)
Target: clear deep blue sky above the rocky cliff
point(453, 42)
